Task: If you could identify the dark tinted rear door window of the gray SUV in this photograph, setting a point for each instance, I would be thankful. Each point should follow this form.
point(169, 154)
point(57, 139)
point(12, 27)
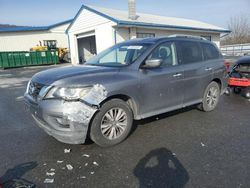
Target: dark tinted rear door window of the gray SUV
point(190, 52)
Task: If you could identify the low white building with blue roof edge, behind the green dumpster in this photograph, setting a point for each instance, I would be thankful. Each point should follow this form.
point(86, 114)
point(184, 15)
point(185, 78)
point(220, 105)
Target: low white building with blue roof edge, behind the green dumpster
point(24, 38)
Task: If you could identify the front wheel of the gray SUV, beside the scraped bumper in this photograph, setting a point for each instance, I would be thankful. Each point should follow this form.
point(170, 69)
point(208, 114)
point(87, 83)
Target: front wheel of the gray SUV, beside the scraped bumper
point(105, 130)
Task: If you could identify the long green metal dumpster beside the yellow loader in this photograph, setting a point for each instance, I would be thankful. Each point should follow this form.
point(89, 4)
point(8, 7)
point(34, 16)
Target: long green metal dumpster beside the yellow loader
point(20, 59)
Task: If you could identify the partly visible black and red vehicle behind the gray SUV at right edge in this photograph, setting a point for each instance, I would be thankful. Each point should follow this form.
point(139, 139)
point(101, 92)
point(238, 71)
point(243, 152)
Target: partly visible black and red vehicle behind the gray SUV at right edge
point(239, 77)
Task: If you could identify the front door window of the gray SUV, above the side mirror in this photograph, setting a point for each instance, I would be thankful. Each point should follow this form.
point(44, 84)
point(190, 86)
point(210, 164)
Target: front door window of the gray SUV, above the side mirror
point(166, 52)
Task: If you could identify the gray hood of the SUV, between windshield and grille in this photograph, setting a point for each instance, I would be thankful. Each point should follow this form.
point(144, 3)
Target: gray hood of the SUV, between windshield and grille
point(50, 76)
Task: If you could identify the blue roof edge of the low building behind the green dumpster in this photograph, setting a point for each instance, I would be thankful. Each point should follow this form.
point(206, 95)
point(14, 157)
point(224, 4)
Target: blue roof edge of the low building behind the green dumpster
point(31, 28)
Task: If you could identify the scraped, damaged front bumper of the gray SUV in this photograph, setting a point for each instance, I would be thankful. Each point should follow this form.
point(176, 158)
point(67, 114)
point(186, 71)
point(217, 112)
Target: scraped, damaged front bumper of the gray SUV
point(66, 121)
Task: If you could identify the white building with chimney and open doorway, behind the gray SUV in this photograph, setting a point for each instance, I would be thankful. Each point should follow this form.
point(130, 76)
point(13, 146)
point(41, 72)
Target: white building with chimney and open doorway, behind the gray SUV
point(94, 29)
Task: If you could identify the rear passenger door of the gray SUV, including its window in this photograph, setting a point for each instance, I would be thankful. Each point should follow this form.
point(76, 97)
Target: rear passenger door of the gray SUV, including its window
point(197, 72)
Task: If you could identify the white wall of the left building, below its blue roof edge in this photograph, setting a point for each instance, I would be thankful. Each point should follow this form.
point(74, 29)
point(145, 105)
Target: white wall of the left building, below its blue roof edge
point(23, 41)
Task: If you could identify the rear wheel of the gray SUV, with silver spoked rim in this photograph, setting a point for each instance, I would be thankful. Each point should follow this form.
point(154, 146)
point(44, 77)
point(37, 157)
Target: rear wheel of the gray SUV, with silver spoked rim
point(210, 98)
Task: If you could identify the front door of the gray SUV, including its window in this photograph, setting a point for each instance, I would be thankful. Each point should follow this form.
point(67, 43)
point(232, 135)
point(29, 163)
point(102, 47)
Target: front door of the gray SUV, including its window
point(161, 88)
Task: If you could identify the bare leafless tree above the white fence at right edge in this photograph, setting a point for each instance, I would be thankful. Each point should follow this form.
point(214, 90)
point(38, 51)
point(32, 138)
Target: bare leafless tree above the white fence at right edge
point(240, 30)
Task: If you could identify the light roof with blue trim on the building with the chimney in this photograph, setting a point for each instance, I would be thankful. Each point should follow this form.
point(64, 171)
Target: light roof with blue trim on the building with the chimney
point(151, 20)
